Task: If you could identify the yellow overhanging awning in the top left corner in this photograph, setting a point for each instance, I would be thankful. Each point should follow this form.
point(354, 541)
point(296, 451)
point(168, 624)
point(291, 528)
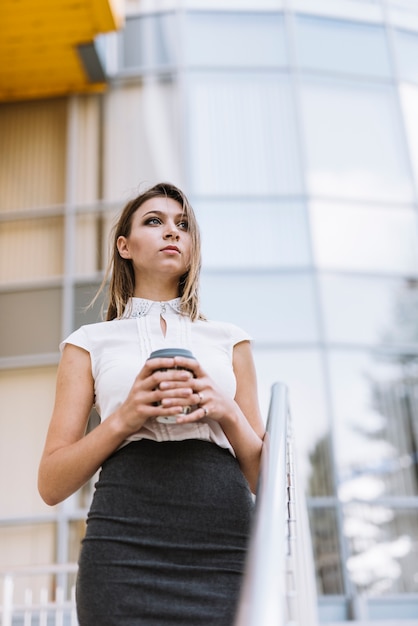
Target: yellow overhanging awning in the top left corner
point(39, 42)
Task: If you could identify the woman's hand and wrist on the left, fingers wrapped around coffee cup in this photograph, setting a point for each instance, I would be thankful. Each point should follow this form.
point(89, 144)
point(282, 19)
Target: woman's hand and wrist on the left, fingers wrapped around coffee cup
point(145, 395)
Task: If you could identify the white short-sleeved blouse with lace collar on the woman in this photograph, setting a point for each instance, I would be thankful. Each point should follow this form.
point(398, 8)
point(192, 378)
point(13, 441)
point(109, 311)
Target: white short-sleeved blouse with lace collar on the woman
point(118, 349)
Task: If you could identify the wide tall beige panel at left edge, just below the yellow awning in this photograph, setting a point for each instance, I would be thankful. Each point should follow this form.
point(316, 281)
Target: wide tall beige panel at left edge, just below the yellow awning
point(32, 154)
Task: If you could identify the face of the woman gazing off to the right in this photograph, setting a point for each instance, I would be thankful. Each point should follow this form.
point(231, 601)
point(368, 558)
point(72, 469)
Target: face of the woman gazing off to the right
point(159, 241)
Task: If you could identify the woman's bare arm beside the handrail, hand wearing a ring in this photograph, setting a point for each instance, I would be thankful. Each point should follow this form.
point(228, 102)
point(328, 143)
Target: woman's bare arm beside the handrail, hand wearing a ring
point(240, 418)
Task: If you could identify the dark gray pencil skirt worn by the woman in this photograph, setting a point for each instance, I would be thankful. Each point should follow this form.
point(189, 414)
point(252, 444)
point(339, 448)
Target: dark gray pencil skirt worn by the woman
point(166, 537)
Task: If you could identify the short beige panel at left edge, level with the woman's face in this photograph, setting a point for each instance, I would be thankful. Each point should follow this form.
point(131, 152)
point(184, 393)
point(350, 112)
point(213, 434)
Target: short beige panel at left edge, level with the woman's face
point(31, 249)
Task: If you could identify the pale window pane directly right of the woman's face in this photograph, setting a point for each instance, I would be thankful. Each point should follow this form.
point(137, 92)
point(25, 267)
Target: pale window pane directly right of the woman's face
point(250, 234)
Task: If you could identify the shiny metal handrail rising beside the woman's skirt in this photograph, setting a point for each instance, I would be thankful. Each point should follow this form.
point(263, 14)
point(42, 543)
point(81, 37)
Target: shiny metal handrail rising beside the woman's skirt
point(279, 584)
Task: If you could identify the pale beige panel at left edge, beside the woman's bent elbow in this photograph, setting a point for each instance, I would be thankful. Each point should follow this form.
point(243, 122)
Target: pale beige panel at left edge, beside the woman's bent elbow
point(27, 398)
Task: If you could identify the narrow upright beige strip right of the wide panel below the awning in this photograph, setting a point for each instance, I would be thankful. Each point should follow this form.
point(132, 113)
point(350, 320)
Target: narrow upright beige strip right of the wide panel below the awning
point(88, 147)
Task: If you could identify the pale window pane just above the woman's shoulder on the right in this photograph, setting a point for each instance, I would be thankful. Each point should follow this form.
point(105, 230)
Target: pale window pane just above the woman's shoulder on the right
point(272, 308)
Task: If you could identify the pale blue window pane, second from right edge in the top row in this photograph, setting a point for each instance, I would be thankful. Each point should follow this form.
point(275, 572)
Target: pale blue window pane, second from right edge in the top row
point(342, 47)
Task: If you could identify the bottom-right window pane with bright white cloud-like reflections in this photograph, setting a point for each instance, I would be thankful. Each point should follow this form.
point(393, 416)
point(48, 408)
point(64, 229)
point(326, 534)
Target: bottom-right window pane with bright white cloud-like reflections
point(383, 542)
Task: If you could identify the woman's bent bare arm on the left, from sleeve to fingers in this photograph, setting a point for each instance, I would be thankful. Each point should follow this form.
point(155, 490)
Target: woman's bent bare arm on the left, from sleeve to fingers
point(70, 458)
